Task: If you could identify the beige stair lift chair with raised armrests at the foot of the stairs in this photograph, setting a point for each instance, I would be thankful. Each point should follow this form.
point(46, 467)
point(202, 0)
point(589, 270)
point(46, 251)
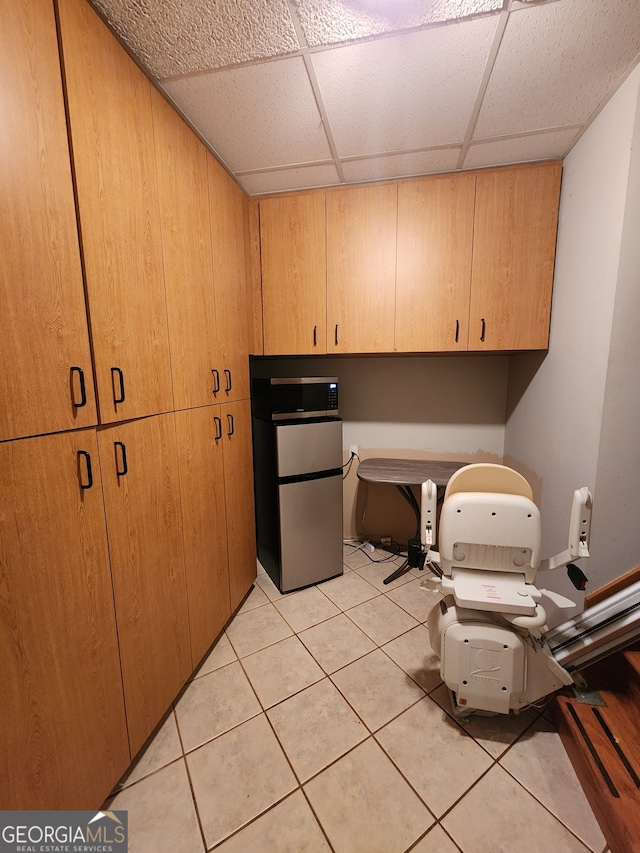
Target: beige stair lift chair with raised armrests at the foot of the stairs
point(488, 629)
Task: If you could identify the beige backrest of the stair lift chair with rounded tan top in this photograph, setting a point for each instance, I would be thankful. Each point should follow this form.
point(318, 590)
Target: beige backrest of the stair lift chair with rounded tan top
point(489, 522)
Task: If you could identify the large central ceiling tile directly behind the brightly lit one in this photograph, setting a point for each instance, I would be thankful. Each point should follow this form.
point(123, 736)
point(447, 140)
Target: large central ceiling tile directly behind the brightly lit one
point(410, 91)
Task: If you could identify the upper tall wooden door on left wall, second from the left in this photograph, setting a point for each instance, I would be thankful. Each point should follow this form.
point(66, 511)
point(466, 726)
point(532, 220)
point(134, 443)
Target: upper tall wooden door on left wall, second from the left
point(109, 103)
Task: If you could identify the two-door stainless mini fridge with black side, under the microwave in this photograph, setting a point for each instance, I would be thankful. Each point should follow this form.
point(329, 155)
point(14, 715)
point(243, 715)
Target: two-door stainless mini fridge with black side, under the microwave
point(298, 477)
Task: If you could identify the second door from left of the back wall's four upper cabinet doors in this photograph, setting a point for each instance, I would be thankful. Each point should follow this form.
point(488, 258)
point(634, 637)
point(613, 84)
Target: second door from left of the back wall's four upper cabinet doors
point(361, 268)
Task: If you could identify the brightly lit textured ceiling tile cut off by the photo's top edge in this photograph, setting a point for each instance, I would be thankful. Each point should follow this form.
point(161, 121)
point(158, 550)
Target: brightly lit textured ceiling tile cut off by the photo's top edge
point(332, 21)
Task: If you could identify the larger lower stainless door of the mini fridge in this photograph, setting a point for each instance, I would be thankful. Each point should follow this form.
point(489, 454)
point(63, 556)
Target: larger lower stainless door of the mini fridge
point(310, 531)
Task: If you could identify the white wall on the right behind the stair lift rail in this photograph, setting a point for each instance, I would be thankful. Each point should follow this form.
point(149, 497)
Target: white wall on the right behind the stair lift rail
point(569, 421)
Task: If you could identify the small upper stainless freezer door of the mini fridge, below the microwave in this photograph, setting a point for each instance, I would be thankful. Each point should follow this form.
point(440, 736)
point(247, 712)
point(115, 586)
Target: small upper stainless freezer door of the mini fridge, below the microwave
point(307, 447)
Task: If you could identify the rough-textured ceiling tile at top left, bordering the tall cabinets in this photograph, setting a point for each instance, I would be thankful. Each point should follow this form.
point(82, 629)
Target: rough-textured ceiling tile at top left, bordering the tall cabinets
point(171, 37)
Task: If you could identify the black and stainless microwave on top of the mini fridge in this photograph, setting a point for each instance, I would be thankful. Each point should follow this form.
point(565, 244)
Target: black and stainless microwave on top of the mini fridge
point(279, 399)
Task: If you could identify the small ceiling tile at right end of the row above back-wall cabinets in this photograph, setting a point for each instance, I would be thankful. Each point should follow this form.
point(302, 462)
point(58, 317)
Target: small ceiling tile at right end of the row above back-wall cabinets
point(540, 146)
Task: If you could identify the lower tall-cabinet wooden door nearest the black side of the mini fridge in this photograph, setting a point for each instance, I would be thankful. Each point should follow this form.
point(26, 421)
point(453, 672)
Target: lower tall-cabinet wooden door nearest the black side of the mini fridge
point(239, 500)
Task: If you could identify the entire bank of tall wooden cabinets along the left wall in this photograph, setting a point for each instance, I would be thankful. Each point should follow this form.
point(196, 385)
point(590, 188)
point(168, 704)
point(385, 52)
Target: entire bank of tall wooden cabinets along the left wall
point(126, 527)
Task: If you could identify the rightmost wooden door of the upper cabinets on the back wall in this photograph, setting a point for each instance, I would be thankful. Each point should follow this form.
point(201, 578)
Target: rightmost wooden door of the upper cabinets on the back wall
point(516, 217)
